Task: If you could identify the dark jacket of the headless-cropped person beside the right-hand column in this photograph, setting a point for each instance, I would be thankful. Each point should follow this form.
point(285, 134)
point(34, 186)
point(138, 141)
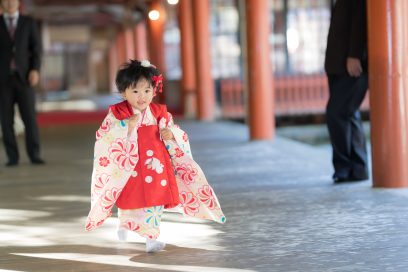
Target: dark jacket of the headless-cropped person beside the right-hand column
point(347, 36)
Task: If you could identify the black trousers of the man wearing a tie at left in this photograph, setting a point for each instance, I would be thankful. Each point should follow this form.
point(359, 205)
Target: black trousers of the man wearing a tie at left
point(16, 91)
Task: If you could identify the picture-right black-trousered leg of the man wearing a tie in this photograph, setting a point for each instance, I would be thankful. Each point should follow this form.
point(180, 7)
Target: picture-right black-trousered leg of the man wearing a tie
point(26, 105)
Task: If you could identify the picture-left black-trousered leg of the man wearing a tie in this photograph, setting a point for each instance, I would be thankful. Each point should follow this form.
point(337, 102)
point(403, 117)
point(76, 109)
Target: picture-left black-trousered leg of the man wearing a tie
point(7, 100)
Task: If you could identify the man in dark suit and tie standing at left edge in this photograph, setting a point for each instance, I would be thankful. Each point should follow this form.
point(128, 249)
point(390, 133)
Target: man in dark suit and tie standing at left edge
point(20, 53)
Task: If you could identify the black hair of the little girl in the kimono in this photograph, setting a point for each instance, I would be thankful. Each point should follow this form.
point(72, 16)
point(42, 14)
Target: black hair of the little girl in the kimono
point(133, 71)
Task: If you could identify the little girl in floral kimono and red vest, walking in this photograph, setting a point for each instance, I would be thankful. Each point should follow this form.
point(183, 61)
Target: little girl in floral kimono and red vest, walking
point(143, 162)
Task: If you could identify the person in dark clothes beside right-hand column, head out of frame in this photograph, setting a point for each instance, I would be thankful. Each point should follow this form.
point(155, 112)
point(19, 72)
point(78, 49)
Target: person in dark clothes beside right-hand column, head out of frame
point(346, 68)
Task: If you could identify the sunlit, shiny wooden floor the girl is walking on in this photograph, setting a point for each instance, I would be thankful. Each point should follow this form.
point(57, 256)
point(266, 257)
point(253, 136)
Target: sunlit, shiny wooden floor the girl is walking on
point(283, 213)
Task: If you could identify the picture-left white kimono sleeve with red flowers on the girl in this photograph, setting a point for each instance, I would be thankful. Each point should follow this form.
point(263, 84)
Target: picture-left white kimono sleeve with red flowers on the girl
point(115, 156)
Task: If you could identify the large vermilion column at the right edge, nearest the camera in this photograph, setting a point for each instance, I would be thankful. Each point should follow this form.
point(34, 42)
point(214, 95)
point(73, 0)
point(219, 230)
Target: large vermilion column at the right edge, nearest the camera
point(388, 84)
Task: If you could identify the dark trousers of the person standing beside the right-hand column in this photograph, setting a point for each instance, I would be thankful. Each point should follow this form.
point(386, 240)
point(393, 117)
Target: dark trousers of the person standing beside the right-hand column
point(345, 126)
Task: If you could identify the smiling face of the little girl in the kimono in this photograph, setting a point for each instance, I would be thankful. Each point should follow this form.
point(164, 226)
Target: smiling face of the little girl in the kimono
point(139, 96)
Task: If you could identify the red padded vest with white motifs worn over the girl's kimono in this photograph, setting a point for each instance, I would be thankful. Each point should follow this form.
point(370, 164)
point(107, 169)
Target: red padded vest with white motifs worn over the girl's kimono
point(152, 182)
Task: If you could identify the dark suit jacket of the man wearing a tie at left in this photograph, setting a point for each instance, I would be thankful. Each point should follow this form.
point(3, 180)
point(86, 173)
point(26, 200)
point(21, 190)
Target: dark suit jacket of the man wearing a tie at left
point(26, 47)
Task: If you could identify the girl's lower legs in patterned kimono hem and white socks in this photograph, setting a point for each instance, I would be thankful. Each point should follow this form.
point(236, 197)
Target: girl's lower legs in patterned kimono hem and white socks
point(144, 221)
